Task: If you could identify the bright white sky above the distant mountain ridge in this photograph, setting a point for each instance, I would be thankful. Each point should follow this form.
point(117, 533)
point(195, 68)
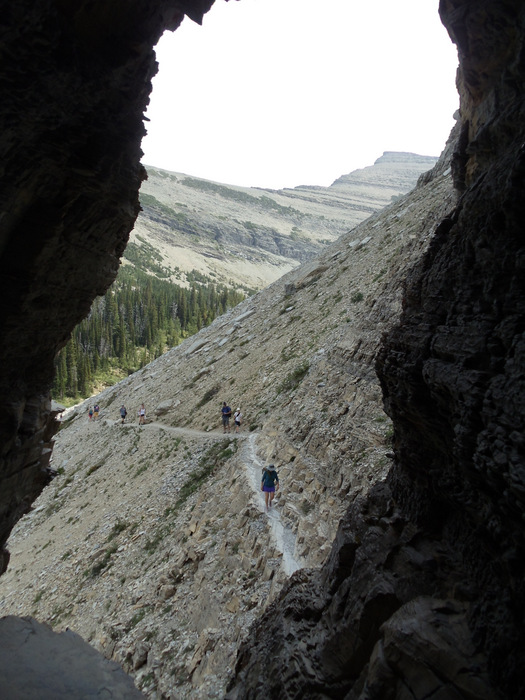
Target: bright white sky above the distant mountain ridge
point(280, 93)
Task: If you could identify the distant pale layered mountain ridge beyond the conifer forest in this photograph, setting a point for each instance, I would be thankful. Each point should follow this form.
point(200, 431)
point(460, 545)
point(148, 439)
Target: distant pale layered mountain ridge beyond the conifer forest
point(247, 237)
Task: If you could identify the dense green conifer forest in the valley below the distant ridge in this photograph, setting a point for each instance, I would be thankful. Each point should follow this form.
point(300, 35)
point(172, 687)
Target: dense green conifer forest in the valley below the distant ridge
point(137, 320)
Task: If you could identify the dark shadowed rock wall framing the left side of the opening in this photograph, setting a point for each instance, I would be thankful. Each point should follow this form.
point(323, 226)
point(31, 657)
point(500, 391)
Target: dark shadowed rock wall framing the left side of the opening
point(75, 81)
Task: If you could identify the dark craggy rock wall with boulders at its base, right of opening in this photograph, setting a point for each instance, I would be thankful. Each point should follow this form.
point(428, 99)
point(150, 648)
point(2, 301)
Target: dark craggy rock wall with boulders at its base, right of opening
point(424, 593)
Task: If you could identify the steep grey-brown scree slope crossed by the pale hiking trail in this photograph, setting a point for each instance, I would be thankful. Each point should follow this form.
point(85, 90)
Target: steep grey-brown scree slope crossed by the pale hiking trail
point(152, 542)
